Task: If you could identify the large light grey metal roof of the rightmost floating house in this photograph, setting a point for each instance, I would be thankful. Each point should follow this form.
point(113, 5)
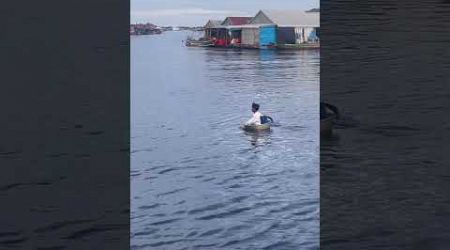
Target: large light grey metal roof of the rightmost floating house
point(293, 17)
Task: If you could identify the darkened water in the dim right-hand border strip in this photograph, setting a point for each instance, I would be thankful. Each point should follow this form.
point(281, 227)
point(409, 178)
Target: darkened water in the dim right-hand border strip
point(384, 172)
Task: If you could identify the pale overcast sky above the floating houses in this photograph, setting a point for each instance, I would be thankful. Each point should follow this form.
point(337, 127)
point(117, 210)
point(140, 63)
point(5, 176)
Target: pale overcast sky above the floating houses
point(198, 12)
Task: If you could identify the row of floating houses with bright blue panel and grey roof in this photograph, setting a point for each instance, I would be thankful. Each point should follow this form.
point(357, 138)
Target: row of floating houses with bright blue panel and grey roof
point(267, 29)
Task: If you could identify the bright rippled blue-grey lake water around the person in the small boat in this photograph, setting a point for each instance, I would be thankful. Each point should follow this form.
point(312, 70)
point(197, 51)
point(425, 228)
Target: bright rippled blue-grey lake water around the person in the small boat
point(197, 180)
